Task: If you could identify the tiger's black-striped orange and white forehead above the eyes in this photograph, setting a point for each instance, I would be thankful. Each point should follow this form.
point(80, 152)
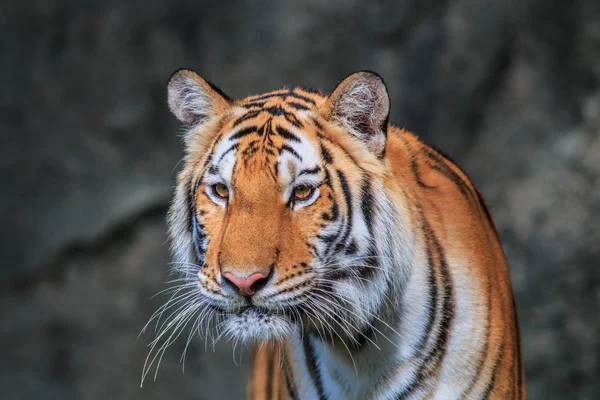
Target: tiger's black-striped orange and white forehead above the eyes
point(282, 136)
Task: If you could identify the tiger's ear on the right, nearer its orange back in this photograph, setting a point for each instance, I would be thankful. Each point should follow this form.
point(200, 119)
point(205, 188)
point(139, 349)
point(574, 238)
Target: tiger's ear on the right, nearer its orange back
point(361, 104)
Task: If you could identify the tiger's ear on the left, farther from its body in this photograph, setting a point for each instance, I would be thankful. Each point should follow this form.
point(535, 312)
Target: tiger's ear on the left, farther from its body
point(194, 100)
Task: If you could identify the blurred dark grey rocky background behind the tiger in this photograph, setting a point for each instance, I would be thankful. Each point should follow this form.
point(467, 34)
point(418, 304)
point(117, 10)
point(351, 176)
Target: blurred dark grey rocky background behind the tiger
point(510, 89)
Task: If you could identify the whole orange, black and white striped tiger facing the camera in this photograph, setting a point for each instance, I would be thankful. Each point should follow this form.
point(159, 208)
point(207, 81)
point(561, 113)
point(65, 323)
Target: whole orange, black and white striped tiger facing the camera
point(357, 261)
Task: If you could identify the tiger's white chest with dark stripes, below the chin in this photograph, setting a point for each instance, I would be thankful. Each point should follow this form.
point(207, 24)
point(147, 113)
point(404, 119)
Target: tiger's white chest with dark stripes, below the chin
point(321, 368)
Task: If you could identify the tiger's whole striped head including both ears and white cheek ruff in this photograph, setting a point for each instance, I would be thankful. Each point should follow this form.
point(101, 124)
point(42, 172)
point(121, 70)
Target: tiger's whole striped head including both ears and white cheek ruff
point(282, 219)
